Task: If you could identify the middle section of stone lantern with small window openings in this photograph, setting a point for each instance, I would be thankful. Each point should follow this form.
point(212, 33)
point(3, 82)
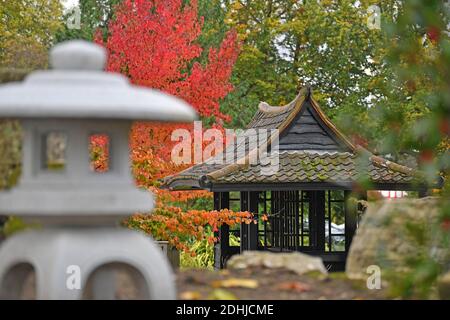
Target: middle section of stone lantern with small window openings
point(76, 192)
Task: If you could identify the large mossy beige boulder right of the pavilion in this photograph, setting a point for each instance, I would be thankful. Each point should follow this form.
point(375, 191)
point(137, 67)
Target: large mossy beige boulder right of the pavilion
point(390, 232)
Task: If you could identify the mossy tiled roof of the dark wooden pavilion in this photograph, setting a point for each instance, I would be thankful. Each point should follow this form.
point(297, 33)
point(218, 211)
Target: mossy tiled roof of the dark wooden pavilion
point(336, 162)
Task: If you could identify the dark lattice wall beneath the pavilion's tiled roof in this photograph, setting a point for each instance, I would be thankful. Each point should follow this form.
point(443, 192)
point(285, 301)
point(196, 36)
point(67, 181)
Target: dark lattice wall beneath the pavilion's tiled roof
point(313, 222)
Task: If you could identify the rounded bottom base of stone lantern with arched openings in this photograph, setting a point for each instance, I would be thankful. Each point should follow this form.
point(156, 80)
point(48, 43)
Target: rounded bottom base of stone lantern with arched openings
point(70, 263)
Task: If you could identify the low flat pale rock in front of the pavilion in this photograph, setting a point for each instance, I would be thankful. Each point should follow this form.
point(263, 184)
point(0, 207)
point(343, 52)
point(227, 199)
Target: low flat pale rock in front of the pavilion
point(297, 262)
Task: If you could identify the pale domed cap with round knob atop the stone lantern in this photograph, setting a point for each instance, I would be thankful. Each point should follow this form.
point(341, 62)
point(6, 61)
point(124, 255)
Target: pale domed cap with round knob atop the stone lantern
point(77, 87)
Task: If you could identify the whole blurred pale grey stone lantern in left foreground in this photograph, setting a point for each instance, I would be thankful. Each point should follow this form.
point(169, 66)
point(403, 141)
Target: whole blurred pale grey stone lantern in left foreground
point(78, 251)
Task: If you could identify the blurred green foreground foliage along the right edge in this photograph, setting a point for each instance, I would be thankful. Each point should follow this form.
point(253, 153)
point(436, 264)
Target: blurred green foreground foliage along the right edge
point(418, 50)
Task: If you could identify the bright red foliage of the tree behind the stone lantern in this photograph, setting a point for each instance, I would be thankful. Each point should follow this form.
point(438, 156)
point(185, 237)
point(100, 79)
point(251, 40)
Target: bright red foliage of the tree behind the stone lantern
point(153, 42)
